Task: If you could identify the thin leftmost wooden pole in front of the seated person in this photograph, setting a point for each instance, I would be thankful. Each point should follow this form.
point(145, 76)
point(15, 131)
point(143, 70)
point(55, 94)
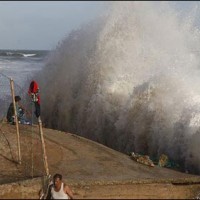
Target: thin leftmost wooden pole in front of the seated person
point(16, 120)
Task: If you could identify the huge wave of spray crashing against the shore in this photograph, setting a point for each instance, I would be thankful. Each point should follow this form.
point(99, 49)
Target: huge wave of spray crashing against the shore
point(130, 80)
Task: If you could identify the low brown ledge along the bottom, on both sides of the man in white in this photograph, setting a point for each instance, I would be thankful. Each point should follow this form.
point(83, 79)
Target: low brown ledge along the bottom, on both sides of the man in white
point(187, 189)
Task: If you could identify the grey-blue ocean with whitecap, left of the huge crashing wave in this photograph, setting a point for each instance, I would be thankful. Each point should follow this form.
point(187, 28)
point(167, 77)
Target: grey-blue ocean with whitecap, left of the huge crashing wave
point(21, 66)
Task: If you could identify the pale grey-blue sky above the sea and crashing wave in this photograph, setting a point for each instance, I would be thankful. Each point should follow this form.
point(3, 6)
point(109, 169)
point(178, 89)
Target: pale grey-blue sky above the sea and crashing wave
point(42, 24)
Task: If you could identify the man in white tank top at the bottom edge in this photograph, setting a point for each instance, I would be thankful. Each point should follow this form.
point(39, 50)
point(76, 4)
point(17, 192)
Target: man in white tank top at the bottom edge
point(60, 190)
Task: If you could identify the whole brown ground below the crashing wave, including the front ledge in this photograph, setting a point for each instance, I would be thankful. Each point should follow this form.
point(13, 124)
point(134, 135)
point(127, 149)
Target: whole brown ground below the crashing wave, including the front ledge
point(91, 169)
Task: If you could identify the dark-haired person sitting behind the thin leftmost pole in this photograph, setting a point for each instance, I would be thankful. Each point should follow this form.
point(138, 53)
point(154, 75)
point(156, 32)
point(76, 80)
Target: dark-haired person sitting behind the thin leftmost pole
point(20, 112)
